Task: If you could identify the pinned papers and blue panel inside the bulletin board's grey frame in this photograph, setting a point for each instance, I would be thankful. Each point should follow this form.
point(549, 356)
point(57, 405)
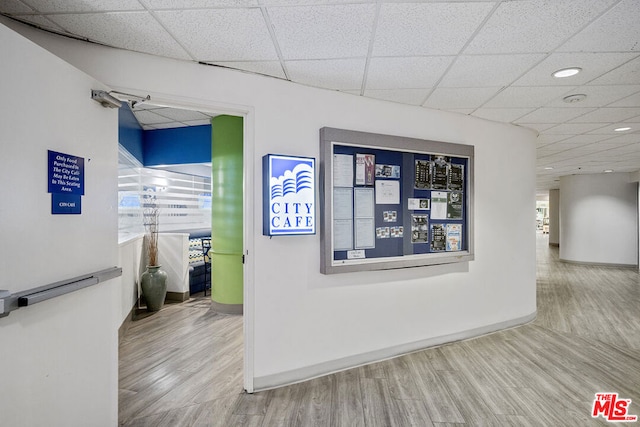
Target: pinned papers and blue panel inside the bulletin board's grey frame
point(388, 203)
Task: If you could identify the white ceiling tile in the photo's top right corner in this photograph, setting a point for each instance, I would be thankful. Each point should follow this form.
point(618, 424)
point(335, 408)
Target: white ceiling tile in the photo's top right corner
point(617, 30)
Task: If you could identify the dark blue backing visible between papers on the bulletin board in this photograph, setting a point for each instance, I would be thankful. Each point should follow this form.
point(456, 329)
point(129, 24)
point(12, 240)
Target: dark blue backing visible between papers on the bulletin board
point(404, 245)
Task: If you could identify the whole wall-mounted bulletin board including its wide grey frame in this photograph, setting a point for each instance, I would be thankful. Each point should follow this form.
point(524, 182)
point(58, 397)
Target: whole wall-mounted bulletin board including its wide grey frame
point(393, 202)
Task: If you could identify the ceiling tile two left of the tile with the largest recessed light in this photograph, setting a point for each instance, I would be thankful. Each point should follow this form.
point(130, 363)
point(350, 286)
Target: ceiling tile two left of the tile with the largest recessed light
point(406, 73)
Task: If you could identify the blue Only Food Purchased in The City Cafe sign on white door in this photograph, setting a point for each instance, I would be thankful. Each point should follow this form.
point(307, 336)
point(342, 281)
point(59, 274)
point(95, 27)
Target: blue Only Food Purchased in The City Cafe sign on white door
point(66, 182)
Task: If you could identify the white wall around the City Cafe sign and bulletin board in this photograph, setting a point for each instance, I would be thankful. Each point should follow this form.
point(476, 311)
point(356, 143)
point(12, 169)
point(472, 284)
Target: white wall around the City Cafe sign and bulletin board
point(304, 321)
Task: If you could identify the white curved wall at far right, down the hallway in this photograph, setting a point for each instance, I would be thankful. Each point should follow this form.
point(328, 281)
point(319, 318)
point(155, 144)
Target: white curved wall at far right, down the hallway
point(599, 217)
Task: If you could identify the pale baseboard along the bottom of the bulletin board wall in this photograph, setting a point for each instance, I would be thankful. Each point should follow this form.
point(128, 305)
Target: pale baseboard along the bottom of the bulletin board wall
point(309, 372)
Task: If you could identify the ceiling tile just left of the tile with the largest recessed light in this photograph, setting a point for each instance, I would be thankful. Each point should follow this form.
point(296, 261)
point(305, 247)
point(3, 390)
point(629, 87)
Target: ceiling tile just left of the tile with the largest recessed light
point(488, 70)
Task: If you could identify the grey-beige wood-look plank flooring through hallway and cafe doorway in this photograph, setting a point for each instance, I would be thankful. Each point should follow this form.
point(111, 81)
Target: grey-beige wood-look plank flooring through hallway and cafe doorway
point(183, 367)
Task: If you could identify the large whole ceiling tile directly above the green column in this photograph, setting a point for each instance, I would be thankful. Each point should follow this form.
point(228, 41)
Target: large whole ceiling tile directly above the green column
point(213, 35)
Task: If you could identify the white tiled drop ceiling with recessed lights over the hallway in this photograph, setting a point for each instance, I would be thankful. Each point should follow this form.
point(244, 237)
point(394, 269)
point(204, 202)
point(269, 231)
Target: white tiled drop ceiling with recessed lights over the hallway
point(489, 59)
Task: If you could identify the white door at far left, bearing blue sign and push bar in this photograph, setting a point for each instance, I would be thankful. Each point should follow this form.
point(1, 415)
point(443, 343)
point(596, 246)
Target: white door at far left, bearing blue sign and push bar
point(59, 357)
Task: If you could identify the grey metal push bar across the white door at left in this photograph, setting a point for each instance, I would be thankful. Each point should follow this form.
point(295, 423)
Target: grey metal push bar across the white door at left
point(10, 302)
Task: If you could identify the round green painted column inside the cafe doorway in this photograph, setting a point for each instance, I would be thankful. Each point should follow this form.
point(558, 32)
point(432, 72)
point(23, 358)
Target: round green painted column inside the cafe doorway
point(226, 214)
